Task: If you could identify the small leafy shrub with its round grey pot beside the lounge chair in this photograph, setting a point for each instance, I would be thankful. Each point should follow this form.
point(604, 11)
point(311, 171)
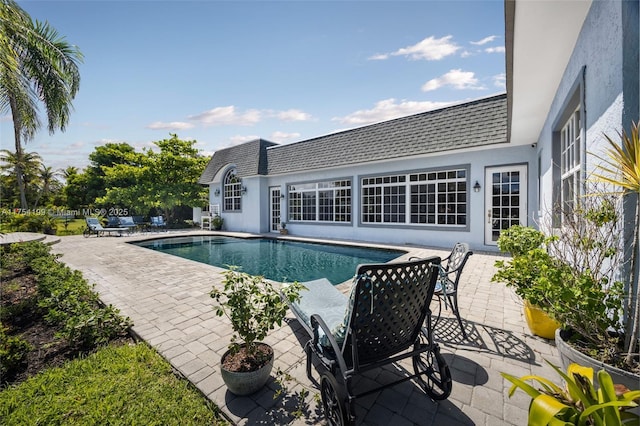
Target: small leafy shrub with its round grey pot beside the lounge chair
point(254, 306)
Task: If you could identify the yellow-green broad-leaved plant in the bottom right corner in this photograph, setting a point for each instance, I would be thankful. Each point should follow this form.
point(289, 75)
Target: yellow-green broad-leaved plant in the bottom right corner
point(579, 403)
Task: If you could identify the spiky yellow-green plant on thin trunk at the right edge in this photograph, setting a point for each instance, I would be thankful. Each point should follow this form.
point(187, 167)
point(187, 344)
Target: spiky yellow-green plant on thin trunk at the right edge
point(621, 168)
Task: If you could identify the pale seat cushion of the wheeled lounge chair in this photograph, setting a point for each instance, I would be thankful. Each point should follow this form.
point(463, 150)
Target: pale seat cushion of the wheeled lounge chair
point(323, 298)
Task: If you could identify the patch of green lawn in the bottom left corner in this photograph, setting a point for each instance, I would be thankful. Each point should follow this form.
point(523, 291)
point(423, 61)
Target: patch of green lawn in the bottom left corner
point(125, 385)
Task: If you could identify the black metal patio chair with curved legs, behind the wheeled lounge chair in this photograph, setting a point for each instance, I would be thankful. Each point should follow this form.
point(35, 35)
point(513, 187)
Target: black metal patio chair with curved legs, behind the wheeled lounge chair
point(449, 277)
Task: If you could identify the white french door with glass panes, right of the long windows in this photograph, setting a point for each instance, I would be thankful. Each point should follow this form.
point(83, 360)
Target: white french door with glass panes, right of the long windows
point(505, 200)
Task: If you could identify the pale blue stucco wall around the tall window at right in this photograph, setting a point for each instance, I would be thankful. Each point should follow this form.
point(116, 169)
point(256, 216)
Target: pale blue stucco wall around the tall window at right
point(596, 65)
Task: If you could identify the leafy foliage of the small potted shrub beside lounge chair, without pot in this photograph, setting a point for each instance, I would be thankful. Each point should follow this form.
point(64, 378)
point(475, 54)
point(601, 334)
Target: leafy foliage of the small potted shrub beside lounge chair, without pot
point(254, 306)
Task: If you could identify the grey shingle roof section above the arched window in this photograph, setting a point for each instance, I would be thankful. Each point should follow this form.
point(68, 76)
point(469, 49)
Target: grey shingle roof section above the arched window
point(250, 159)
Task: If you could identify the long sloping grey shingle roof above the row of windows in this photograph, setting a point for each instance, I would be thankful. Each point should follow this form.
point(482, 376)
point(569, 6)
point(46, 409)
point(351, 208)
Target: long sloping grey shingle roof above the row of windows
point(473, 124)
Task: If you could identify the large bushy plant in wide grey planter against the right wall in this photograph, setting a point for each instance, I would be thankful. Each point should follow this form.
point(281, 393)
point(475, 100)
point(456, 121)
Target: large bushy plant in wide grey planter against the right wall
point(574, 276)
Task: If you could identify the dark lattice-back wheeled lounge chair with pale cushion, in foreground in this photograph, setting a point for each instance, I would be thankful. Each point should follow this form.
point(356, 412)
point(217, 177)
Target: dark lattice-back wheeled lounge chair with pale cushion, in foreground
point(386, 319)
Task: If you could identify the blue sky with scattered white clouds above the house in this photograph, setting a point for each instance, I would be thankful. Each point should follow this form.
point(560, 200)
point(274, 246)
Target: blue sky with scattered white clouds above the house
point(226, 72)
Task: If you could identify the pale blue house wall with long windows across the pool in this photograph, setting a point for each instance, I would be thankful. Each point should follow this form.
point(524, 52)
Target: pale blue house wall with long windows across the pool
point(255, 217)
